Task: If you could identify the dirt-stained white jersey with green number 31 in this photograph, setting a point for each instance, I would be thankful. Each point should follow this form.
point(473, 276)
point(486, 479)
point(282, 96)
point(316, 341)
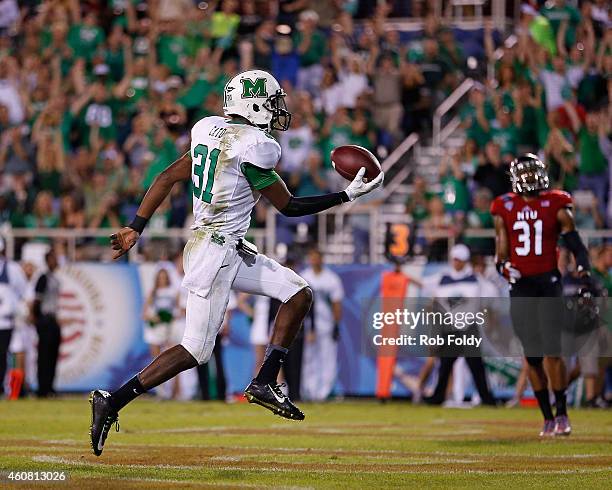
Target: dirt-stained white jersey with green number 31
point(222, 196)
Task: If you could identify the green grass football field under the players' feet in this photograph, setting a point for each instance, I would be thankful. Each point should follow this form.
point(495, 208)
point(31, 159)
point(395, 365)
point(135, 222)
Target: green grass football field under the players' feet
point(340, 445)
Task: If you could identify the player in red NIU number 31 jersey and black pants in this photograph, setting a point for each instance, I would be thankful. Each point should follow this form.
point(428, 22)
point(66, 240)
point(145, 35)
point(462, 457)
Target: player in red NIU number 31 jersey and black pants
point(528, 224)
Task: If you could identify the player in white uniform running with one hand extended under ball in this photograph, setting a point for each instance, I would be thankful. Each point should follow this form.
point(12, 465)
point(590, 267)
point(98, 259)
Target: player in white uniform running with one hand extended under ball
point(231, 163)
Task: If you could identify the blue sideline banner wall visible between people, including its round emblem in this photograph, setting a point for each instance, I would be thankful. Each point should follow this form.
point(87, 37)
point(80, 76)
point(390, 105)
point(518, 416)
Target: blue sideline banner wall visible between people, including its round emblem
point(109, 297)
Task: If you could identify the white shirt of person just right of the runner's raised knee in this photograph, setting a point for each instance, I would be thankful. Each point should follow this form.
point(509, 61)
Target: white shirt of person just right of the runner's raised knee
point(327, 289)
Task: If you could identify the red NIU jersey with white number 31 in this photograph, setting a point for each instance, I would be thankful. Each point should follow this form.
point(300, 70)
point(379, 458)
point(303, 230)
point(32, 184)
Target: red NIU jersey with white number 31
point(532, 228)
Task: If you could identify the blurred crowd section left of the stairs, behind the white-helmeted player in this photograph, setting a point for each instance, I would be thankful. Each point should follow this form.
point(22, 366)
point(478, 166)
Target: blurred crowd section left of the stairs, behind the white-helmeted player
point(96, 98)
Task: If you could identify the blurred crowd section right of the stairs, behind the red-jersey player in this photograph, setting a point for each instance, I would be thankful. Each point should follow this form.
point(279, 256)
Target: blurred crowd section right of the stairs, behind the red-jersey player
point(549, 96)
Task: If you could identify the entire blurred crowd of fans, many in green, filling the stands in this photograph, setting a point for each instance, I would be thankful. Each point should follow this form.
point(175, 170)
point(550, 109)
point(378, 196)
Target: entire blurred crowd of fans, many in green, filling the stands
point(97, 97)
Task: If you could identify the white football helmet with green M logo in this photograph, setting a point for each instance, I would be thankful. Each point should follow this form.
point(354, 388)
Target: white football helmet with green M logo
point(259, 98)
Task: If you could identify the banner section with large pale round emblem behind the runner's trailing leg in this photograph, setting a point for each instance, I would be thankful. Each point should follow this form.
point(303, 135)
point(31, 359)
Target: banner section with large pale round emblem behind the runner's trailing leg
point(100, 312)
